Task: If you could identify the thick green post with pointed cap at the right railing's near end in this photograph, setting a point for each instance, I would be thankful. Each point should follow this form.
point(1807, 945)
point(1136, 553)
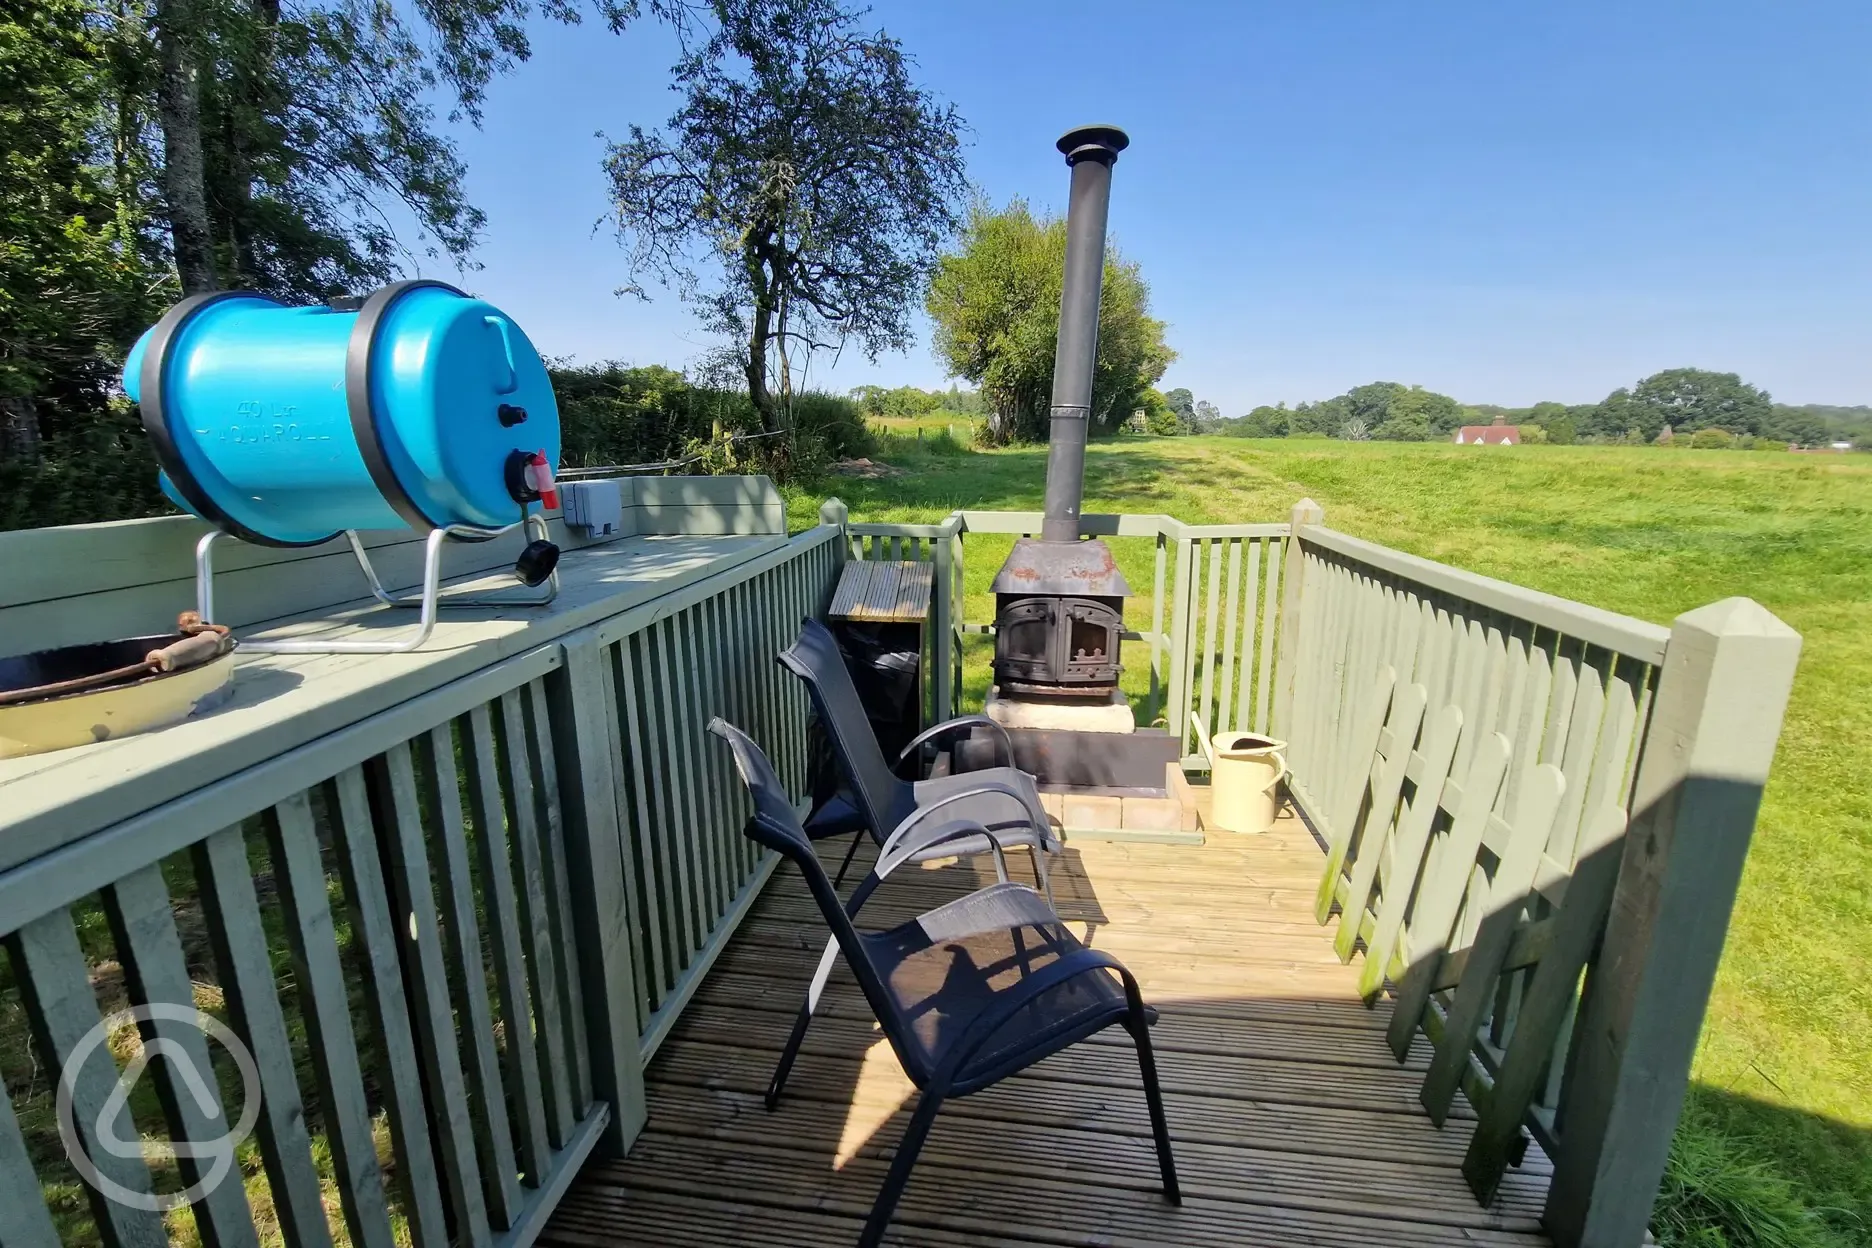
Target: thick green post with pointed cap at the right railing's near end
point(1721, 695)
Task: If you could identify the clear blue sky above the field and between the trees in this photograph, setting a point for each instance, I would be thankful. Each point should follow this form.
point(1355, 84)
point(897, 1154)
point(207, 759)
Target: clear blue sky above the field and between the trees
point(1499, 201)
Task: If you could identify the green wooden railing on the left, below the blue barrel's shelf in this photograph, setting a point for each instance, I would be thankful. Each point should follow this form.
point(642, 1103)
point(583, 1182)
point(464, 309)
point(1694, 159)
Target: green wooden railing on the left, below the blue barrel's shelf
point(450, 931)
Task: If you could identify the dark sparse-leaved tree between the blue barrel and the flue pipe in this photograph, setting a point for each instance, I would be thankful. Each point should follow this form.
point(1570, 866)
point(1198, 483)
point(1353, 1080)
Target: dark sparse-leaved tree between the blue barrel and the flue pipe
point(812, 169)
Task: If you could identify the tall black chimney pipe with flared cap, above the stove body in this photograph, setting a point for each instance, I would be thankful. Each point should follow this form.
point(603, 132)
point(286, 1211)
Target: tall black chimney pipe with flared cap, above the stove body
point(1090, 152)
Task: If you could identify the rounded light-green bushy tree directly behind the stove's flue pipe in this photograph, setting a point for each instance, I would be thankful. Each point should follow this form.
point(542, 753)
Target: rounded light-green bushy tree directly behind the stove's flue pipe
point(997, 312)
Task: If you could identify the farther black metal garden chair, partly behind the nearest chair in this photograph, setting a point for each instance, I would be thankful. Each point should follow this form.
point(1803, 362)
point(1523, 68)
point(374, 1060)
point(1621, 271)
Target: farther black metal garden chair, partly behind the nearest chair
point(1002, 800)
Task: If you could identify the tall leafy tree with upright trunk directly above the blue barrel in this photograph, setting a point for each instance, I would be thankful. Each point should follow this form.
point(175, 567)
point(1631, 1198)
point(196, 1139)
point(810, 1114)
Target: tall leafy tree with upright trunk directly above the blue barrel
point(287, 130)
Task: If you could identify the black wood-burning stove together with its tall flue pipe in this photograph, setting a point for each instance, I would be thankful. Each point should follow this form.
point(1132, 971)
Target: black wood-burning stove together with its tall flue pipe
point(1060, 602)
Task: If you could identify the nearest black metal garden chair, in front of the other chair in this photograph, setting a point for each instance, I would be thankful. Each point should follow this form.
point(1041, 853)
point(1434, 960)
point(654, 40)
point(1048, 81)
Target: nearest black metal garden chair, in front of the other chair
point(969, 993)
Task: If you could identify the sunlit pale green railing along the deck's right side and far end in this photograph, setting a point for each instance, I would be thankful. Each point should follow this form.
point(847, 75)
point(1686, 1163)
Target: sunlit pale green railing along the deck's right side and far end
point(1534, 813)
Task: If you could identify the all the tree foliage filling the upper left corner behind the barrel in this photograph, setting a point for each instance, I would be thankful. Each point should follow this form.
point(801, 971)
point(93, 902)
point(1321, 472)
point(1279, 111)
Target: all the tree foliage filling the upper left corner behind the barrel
point(168, 147)
